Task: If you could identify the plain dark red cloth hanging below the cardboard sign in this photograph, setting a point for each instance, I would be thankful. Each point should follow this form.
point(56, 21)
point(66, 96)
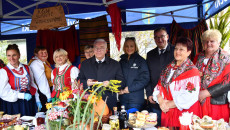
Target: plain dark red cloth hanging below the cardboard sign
point(53, 40)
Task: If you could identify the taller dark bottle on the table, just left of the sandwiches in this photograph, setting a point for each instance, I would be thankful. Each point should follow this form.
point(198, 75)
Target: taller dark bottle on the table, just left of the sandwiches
point(123, 120)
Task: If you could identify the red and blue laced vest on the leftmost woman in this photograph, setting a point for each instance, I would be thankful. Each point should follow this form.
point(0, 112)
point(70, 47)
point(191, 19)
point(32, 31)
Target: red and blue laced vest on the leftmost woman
point(21, 84)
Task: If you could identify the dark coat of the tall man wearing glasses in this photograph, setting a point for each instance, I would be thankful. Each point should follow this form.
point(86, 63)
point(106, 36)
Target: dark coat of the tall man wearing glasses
point(156, 64)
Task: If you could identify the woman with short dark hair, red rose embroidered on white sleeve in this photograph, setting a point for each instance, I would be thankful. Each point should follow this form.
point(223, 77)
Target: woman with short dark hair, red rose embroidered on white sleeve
point(178, 87)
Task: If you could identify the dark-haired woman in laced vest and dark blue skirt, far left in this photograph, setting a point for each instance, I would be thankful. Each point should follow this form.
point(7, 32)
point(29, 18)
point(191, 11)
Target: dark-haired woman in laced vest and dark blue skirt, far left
point(18, 91)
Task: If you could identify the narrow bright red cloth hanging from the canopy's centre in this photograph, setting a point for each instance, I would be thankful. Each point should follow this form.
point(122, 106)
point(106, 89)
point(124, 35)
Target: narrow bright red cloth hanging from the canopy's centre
point(115, 14)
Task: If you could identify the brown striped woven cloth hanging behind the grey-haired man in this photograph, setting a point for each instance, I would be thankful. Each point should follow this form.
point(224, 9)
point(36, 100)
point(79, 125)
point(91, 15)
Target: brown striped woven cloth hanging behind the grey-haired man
point(92, 29)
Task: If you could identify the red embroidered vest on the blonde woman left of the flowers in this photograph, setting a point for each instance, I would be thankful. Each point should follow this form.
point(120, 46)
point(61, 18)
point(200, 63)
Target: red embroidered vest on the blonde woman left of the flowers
point(62, 80)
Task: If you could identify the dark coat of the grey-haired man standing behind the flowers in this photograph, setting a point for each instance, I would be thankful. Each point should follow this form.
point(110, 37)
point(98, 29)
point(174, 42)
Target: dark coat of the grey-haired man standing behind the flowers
point(108, 70)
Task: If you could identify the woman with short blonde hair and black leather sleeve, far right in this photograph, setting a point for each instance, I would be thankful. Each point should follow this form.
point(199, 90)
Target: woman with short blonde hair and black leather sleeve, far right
point(214, 68)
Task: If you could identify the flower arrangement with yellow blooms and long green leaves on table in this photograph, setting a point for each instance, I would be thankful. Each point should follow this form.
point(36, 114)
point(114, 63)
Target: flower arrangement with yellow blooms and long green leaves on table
point(81, 111)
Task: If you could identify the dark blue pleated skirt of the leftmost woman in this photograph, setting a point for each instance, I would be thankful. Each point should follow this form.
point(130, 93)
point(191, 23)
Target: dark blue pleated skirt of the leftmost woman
point(24, 107)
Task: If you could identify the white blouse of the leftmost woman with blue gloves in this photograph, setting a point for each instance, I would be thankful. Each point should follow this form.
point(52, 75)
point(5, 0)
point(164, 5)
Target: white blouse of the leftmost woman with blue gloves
point(10, 95)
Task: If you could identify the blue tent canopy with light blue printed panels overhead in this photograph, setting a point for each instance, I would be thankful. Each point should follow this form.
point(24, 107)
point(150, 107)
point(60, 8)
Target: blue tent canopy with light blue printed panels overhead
point(15, 15)
